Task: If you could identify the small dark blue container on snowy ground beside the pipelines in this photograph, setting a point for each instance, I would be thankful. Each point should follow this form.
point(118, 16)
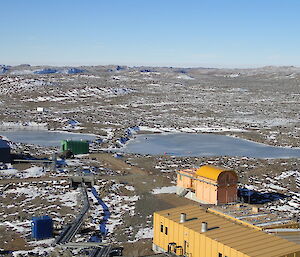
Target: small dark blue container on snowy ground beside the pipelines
point(41, 227)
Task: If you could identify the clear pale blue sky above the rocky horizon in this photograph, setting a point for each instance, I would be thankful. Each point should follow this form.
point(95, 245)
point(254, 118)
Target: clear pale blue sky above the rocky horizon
point(212, 33)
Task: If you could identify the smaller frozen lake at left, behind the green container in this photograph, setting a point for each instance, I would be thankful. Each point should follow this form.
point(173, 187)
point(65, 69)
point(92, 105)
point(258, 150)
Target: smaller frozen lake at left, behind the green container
point(43, 137)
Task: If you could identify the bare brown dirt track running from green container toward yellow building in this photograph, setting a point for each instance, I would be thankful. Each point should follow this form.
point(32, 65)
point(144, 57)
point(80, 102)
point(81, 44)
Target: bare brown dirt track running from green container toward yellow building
point(144, 182)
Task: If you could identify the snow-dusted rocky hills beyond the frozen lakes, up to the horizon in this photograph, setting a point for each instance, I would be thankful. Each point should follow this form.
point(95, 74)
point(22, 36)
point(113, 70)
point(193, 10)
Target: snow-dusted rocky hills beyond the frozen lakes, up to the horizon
point(264, 102)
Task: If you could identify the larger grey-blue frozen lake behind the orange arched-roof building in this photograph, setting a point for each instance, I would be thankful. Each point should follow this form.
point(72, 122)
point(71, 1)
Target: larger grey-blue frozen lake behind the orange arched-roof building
point(185, 144)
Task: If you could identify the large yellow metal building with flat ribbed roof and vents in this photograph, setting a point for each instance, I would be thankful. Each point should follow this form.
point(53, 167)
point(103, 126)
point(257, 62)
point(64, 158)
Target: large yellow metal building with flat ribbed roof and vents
point(196, 232)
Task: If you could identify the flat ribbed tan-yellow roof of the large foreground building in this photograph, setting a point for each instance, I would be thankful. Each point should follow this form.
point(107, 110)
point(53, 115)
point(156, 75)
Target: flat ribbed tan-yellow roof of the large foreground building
point(247, 240)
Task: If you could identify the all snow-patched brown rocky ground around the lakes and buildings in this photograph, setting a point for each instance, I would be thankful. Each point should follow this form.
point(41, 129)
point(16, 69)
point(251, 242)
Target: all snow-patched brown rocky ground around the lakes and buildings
point(114, 102)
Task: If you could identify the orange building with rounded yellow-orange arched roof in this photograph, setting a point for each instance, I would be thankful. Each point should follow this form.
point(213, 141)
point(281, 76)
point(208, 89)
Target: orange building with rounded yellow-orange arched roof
point(208, 184)
